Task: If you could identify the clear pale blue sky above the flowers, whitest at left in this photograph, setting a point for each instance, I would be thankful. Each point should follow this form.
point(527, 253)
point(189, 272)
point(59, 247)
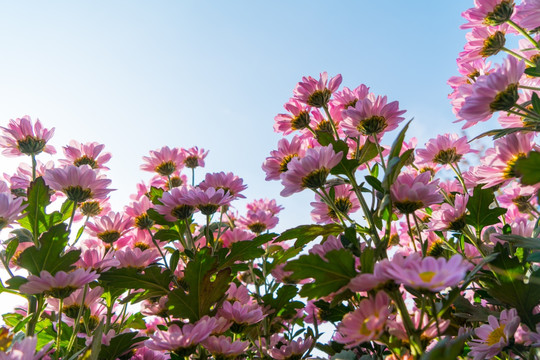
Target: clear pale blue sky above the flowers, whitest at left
point(138, 75)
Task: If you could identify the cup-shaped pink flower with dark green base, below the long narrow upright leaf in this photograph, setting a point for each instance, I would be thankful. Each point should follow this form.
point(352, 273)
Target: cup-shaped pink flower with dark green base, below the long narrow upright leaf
point(411, 192)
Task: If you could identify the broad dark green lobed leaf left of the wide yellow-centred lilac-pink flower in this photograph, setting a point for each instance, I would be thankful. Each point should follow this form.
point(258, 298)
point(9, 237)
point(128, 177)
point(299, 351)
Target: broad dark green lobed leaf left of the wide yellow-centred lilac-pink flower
point(330, 275)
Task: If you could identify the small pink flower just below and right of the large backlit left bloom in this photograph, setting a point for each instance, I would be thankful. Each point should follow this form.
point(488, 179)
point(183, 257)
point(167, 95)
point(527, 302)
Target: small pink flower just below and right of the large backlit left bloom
point(111, 227)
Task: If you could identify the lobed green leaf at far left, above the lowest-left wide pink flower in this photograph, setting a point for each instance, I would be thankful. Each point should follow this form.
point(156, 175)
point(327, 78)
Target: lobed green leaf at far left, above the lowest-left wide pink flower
point(49, 256)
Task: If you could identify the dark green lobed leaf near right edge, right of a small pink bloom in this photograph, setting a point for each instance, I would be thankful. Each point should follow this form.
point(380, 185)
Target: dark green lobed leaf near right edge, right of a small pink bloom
point(480, 212)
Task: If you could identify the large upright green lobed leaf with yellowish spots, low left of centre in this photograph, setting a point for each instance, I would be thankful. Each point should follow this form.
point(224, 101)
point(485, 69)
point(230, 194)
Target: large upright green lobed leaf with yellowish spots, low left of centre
point(205, 287)
